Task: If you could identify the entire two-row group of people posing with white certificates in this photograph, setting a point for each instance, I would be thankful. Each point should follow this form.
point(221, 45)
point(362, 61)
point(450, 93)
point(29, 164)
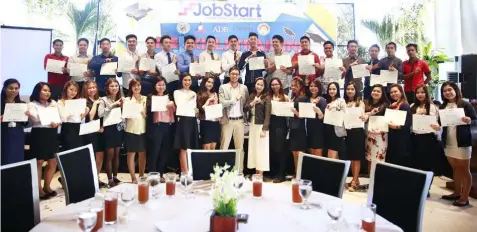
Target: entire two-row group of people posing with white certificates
point(156, 134)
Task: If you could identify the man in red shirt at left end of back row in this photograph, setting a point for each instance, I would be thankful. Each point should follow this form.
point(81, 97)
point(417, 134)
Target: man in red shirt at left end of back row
point(56, 80)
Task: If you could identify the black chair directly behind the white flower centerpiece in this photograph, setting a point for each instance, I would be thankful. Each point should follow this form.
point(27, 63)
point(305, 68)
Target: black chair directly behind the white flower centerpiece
point(201, 162)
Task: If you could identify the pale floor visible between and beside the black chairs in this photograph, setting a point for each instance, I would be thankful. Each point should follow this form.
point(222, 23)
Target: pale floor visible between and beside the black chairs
point(439, 215)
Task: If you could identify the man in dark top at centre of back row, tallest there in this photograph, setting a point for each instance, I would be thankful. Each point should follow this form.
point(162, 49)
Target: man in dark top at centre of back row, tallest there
point(250, 76)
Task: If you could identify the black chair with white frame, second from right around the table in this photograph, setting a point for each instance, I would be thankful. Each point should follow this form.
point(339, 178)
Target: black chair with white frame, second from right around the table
point(328, 176)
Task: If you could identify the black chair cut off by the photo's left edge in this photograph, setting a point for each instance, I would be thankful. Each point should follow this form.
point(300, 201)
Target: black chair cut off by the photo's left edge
point(20, 196)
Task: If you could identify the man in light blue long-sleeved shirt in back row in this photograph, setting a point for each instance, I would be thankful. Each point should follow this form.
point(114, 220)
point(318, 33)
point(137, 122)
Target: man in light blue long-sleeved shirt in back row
point(186, 58)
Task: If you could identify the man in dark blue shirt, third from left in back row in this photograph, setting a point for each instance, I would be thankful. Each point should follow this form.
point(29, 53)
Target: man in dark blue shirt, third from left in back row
point(96, 63)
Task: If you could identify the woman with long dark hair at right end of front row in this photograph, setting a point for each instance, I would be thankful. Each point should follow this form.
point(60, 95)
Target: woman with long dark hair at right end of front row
point(457, 141)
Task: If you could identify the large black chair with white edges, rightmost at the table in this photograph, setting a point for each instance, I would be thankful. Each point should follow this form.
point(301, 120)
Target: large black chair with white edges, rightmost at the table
point(399, 194)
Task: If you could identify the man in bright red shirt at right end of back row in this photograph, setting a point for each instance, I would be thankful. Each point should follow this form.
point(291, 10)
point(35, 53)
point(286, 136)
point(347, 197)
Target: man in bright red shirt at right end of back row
point(414, 70)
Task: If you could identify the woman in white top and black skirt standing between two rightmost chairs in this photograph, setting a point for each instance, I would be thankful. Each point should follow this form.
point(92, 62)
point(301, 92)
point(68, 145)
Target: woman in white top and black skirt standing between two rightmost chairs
point(355, 137)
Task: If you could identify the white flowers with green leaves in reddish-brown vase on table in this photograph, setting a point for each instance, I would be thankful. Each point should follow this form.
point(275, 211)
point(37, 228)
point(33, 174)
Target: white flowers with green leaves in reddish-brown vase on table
point(225, 197)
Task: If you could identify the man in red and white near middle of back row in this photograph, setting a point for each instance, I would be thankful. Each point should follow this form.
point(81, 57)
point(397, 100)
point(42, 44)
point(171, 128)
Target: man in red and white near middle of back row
point(305, 50)
